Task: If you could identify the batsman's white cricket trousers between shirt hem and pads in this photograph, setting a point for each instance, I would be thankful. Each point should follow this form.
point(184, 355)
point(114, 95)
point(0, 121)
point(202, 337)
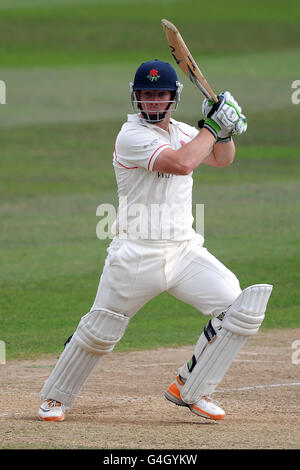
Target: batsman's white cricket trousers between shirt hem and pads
point(135, 271)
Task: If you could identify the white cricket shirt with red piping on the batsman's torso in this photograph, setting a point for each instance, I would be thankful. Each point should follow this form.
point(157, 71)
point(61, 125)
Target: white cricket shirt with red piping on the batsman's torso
point(152, 205)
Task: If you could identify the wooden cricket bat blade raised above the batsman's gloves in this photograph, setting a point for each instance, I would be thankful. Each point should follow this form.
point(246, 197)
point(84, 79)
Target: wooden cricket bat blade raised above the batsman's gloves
point(185, 61)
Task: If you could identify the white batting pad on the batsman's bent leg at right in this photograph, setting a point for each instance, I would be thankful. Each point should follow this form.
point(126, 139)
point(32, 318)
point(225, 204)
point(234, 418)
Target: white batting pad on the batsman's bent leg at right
point(242, 319)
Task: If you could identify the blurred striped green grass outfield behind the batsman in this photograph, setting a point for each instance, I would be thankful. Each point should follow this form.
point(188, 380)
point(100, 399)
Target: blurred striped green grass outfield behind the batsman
point(67, 66)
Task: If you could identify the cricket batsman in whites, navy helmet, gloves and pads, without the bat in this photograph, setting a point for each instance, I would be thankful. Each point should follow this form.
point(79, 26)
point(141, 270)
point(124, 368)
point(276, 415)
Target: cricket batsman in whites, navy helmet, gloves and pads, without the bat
point(155, 248)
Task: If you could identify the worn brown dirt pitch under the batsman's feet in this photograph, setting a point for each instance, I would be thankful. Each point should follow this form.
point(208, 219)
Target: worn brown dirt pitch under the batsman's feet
point(122, 405)
